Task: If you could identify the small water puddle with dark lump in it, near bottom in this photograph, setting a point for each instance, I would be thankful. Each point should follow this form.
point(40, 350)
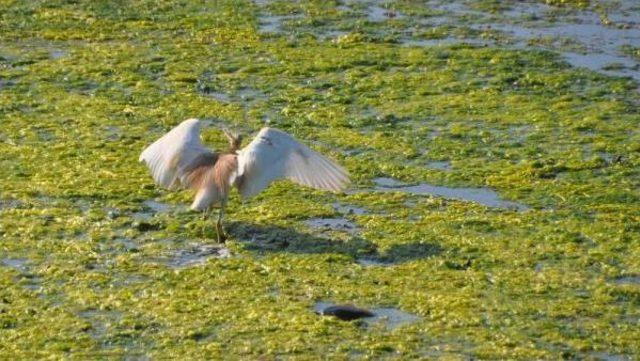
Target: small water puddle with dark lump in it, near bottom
point(388, 317)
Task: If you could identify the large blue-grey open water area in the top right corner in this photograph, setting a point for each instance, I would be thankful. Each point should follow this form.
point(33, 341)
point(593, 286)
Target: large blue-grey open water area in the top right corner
point(535, 25)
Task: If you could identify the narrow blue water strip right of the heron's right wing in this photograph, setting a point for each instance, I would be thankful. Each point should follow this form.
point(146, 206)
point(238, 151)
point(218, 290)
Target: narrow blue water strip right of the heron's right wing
point(482, 196)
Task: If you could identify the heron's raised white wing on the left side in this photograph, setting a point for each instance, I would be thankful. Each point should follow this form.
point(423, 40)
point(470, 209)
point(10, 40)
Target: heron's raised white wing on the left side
point(175, 158)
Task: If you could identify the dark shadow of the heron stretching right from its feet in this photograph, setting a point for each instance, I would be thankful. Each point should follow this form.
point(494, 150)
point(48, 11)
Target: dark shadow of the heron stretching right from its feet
point(266, 238)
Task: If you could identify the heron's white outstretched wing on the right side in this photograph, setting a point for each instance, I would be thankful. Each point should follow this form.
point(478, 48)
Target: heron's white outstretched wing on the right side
point(274, 154)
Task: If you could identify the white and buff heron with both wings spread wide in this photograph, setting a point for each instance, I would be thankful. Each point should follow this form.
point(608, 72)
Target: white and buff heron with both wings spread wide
point(178, 160)
